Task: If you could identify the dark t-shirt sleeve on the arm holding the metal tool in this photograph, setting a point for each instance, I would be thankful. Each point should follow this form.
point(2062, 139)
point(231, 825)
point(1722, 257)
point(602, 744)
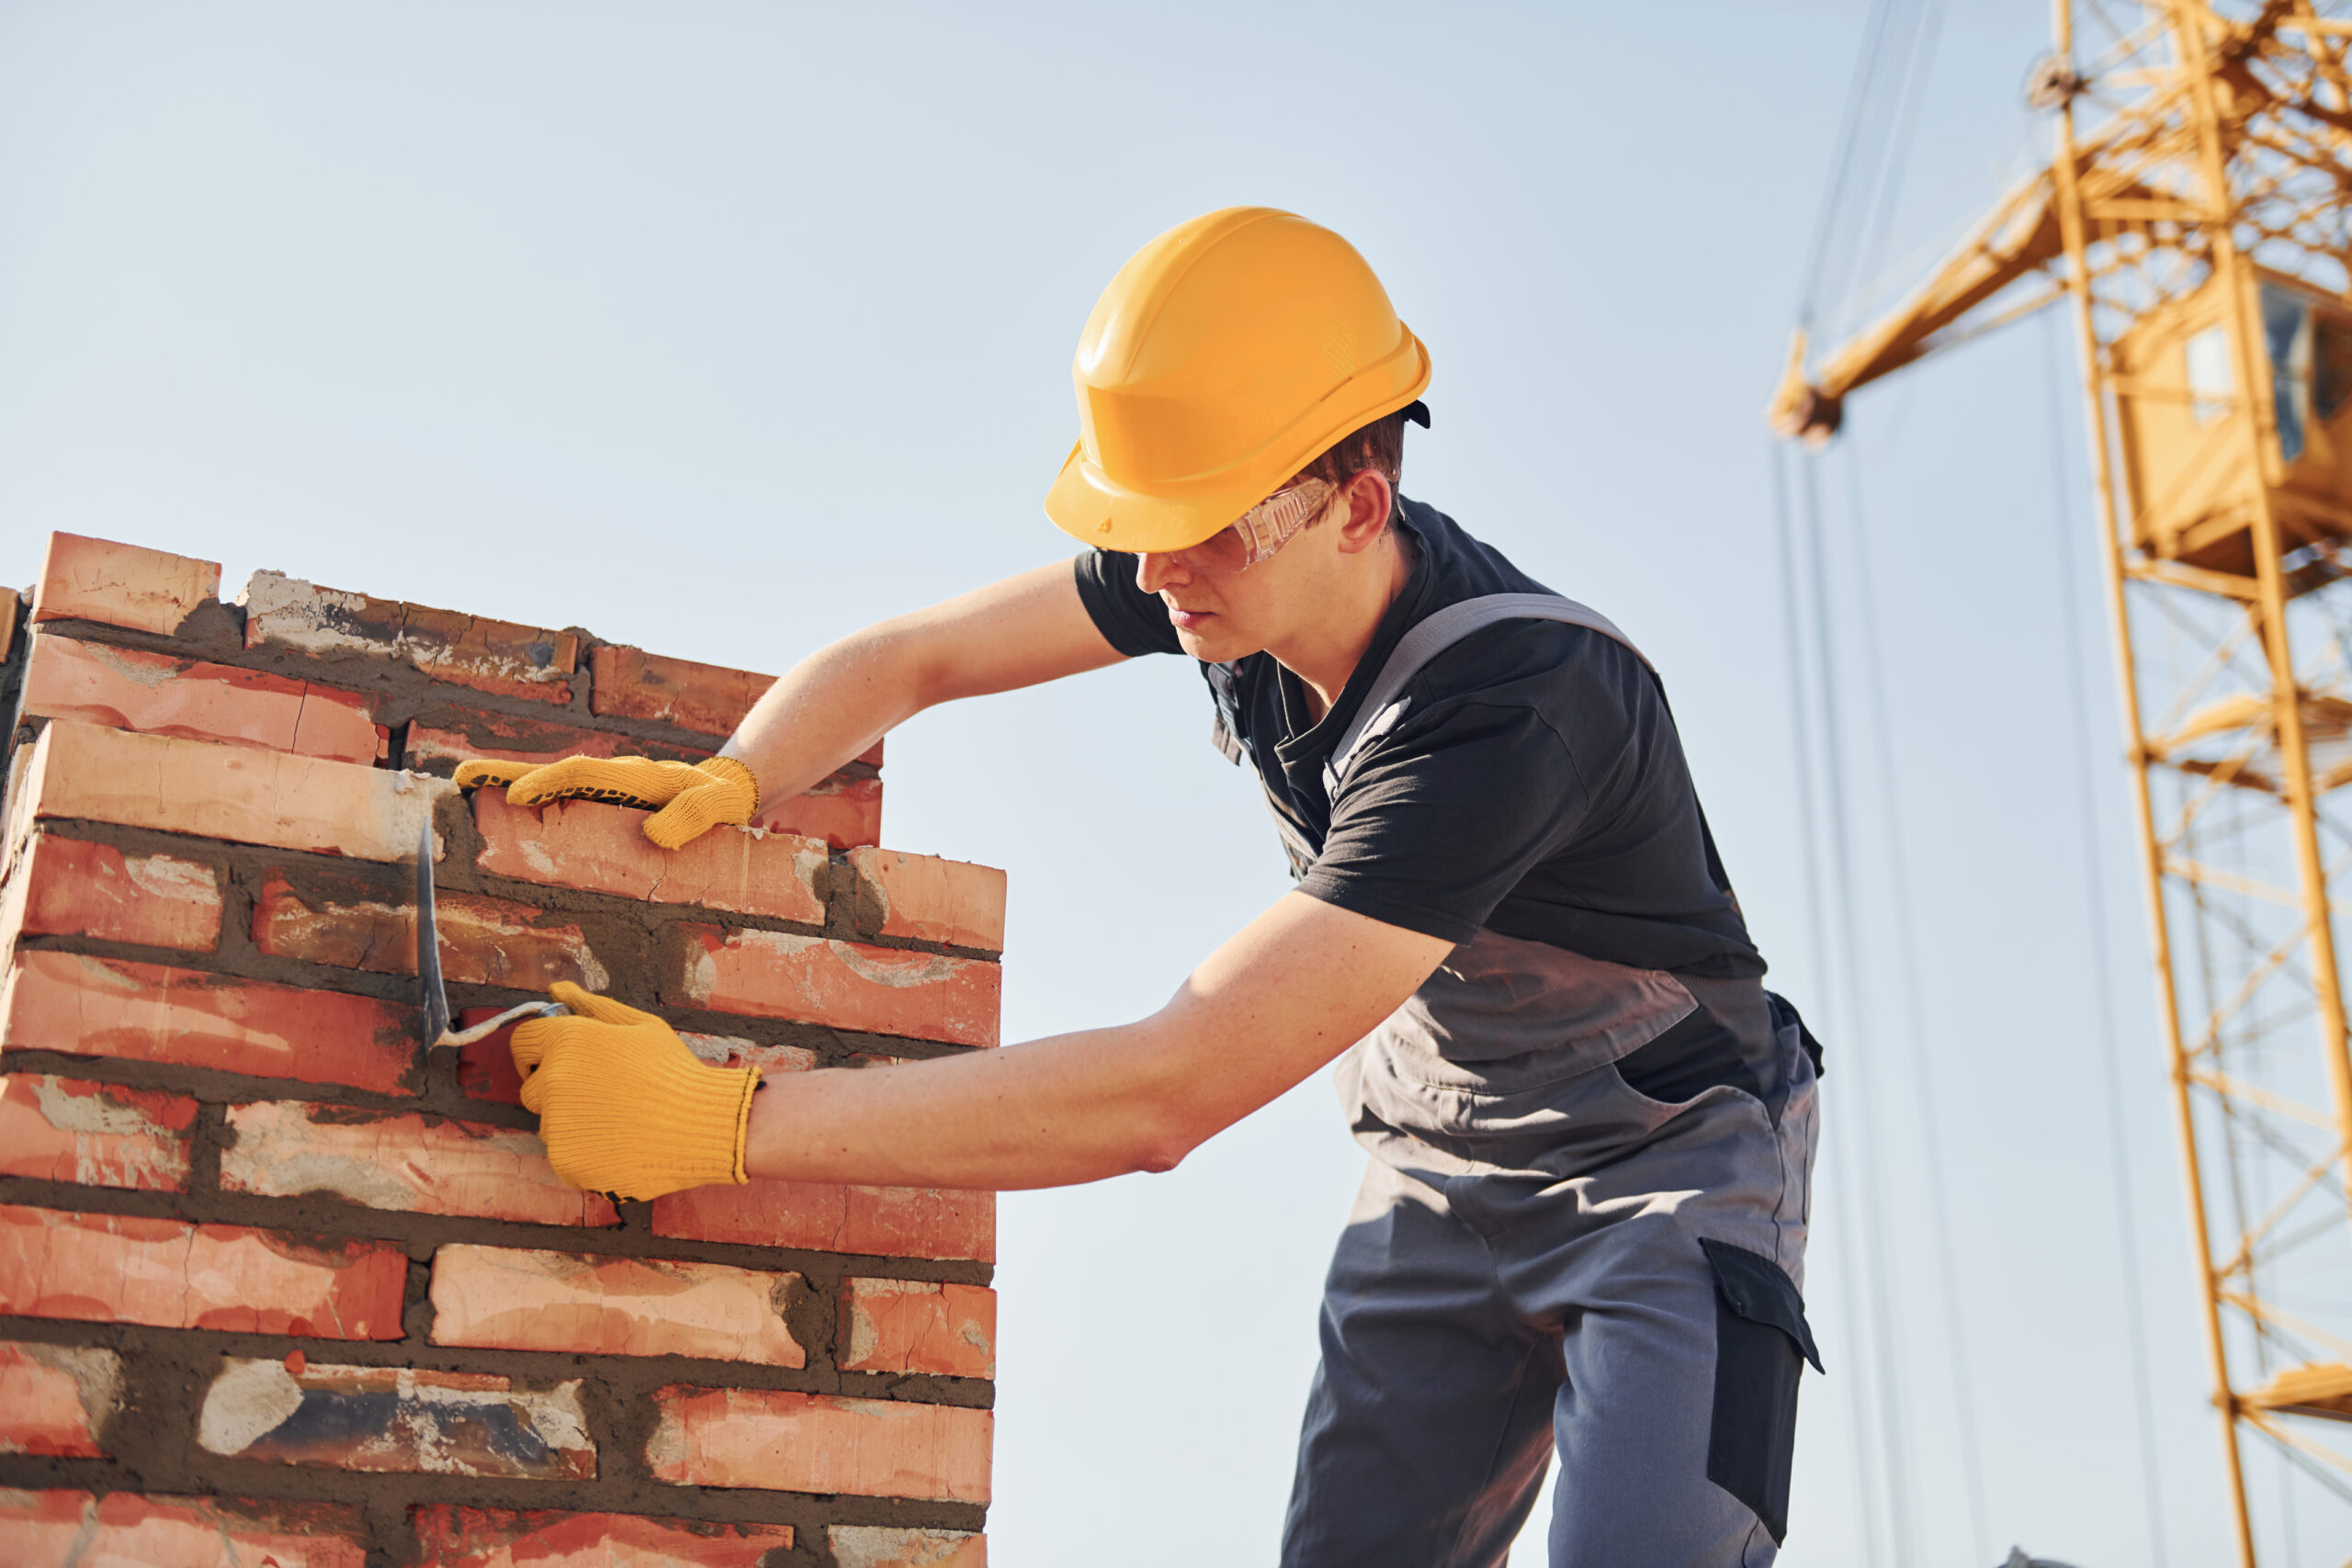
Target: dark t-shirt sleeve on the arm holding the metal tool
point(1443, 819)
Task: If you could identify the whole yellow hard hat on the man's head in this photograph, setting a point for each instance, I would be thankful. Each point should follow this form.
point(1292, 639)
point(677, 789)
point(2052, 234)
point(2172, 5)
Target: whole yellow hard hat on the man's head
point(1227, 356)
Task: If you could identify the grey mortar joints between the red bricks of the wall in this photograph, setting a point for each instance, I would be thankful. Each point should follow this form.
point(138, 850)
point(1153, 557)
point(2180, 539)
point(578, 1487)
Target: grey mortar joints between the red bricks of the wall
point(171, 1369)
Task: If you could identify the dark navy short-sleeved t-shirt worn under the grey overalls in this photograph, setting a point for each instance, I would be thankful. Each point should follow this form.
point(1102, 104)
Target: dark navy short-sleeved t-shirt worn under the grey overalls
point(1535, 786)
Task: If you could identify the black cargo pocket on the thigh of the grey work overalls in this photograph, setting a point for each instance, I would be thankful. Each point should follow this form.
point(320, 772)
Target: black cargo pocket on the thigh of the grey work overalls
point(1760, 1351)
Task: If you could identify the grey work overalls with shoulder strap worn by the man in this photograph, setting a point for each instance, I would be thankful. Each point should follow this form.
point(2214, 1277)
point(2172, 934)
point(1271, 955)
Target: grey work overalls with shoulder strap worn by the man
point(1542, 1257)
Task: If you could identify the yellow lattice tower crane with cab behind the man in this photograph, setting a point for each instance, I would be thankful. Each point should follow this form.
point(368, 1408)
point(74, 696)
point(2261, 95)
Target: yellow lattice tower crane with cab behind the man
point(2198, 215)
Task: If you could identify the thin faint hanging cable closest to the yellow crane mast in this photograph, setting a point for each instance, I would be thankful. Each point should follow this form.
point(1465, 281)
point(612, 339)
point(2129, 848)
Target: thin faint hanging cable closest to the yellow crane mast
point(2127, 1224)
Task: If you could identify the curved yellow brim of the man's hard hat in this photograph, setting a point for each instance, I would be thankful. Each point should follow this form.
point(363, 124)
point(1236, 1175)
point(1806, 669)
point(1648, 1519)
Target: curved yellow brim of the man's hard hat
point(1095, 509)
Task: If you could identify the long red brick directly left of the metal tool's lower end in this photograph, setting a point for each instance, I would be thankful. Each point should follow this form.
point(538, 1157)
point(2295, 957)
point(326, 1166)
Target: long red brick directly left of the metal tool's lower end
point(154, 1014)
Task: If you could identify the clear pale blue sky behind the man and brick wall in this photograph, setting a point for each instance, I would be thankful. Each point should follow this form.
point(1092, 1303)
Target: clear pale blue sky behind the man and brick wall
point(730, 328)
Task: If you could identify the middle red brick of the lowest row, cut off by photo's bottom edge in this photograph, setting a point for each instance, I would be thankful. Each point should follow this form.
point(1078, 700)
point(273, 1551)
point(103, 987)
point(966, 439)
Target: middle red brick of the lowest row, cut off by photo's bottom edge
point(500, 1539)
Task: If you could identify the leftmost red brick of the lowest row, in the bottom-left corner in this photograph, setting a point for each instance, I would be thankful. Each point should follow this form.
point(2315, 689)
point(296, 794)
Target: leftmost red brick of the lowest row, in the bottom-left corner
point(131, 1532)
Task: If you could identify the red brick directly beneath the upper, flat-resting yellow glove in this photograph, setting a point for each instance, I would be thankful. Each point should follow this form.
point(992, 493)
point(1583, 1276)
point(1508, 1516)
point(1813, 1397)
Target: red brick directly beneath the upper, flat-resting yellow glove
point(603, 850)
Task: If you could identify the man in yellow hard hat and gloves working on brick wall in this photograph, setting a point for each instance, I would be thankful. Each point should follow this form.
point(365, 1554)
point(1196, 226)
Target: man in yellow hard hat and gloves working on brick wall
point(1591, 1130)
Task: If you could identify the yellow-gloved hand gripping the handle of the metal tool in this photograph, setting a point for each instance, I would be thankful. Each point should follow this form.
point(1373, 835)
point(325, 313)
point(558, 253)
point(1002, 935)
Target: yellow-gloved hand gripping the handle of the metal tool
point(622, 1104)
